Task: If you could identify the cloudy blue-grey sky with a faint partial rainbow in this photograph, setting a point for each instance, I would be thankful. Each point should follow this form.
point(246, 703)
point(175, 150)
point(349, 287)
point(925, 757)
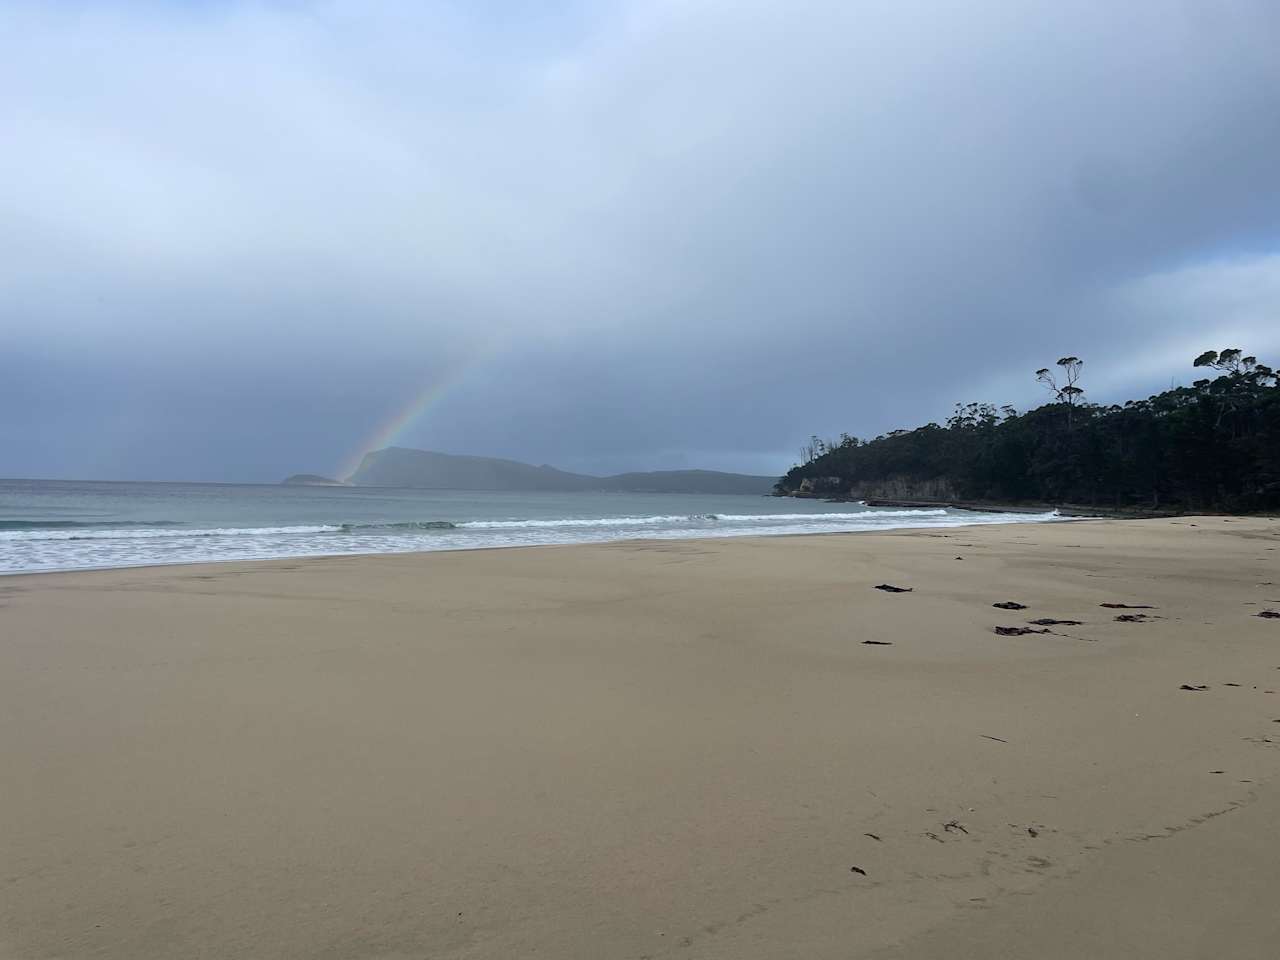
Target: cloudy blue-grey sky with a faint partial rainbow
point(245, 240)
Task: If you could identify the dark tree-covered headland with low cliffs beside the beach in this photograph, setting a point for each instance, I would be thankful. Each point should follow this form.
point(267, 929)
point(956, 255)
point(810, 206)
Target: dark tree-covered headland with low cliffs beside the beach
point(1212, 446)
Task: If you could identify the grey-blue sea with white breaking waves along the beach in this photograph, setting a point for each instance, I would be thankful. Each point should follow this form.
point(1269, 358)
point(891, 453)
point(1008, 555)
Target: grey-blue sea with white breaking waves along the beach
point(49, 525)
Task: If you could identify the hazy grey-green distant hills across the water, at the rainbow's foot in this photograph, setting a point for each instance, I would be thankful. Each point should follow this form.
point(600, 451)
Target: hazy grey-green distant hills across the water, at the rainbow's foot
point(400, 467)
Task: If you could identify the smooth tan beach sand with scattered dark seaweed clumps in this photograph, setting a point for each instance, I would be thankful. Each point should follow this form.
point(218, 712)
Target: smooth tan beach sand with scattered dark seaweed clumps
point(653, 749)
